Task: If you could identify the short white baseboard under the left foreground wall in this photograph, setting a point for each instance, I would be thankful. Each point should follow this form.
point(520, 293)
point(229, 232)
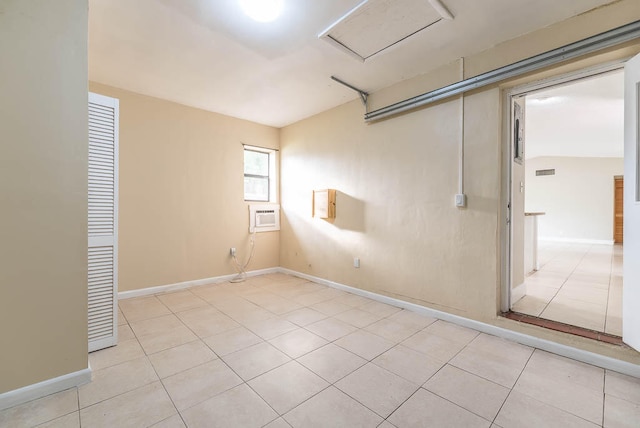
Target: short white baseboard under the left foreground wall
point(42, 389)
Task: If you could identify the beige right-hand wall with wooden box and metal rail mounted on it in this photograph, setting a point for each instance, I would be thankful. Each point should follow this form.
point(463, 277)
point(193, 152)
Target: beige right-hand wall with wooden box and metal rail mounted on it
point(396, 181)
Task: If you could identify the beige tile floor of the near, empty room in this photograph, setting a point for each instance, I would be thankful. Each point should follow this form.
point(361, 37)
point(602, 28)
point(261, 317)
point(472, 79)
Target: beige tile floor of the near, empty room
point(278, 351)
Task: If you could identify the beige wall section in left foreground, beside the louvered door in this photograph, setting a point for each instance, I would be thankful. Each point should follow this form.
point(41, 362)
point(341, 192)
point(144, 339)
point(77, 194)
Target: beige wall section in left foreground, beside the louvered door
point(43, 190)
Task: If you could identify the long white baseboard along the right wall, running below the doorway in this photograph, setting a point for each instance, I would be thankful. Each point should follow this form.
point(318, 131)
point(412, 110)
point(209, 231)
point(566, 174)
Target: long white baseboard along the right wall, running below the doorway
point(525, 339)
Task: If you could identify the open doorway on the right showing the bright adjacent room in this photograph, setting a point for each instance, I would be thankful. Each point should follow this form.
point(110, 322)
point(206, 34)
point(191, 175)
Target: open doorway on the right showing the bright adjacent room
point(565, 223)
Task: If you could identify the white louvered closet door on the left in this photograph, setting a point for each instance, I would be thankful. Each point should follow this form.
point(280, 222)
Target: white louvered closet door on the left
point(103, 222)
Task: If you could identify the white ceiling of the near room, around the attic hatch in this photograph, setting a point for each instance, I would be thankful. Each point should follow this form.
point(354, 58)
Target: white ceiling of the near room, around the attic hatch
point(208, 54)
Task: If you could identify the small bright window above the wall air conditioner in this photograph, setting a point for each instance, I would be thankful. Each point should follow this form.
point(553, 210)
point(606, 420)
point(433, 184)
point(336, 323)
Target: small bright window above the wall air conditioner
point(259, 172)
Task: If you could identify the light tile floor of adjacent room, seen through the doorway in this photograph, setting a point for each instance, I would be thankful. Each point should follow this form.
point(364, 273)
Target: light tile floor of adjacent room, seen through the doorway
point(577, 284)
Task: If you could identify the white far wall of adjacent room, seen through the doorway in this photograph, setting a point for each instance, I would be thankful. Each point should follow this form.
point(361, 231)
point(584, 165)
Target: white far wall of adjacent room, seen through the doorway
point(577, 200)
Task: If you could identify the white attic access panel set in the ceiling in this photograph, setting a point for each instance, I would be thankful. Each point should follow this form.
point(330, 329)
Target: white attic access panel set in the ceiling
point(376, 25)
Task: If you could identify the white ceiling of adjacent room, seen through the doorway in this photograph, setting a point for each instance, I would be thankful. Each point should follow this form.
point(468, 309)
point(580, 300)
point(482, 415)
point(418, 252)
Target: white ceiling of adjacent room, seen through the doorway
point(583, 119)
